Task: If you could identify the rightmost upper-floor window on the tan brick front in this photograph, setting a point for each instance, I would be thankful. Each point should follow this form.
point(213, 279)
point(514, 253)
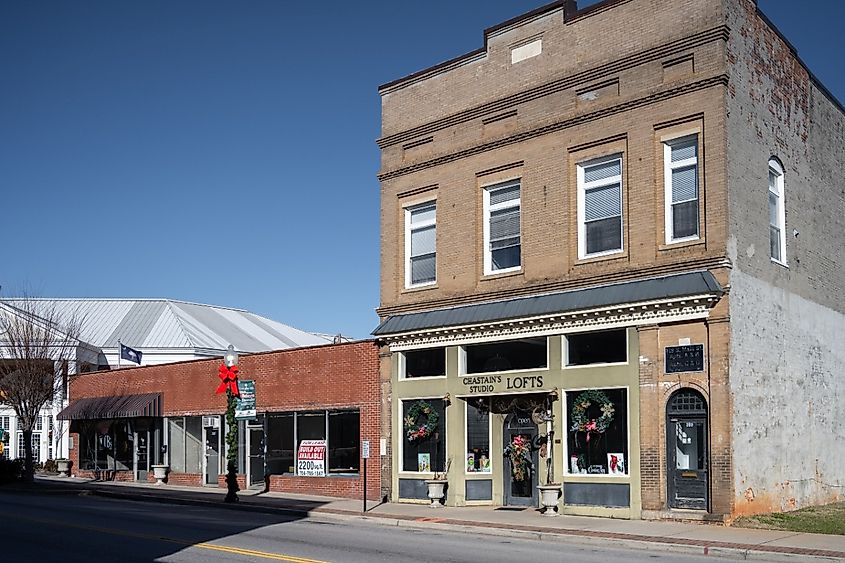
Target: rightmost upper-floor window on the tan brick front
point(680, 158)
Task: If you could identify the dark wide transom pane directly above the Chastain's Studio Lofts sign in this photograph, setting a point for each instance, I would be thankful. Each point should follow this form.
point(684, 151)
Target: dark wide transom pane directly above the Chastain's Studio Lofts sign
point(526, 353)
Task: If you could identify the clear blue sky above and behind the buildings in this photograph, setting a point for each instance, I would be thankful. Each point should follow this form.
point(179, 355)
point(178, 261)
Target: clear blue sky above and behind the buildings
point(224, 152)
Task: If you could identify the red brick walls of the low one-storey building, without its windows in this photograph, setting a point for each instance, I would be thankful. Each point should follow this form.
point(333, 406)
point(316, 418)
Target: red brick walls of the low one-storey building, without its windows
point(331, 378)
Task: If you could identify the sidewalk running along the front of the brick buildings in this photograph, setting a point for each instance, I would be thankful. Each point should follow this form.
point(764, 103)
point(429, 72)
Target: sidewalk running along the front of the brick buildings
point(690, 538)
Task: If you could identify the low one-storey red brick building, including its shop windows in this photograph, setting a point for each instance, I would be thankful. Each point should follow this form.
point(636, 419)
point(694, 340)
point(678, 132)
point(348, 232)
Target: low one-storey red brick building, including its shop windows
point(123, 422)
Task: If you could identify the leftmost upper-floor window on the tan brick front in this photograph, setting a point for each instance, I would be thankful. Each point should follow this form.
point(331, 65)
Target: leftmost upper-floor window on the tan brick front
point(420, 239)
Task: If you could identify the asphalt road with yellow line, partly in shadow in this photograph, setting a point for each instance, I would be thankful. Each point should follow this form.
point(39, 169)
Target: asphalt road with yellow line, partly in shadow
point(67, 527)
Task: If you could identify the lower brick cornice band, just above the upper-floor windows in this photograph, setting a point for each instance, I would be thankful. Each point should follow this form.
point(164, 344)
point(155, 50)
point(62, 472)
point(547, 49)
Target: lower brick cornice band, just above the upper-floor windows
point(720, 79)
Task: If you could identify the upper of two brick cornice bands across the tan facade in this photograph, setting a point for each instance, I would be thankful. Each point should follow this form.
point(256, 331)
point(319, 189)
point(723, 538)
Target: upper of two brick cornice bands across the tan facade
point(573, 81)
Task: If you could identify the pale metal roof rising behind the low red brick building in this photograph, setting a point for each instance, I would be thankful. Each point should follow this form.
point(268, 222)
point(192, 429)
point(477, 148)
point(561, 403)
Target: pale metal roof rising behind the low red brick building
point(169, 324)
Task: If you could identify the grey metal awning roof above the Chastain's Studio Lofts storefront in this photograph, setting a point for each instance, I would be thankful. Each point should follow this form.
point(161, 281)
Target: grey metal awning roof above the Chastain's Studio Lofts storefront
point(674, 286)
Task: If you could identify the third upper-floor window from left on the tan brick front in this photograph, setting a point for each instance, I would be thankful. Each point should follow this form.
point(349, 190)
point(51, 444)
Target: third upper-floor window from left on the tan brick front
point(600, 207)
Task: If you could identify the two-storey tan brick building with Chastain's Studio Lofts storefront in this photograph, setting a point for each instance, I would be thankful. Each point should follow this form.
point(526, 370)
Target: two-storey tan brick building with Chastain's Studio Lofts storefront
point(627, 219)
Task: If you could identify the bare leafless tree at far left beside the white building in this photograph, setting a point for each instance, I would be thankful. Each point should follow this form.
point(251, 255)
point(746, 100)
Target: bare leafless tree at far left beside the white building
point(39, 346)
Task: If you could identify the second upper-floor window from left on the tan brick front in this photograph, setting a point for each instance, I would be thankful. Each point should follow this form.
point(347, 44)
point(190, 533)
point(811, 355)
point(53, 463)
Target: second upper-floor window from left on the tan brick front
point(502, 243)
